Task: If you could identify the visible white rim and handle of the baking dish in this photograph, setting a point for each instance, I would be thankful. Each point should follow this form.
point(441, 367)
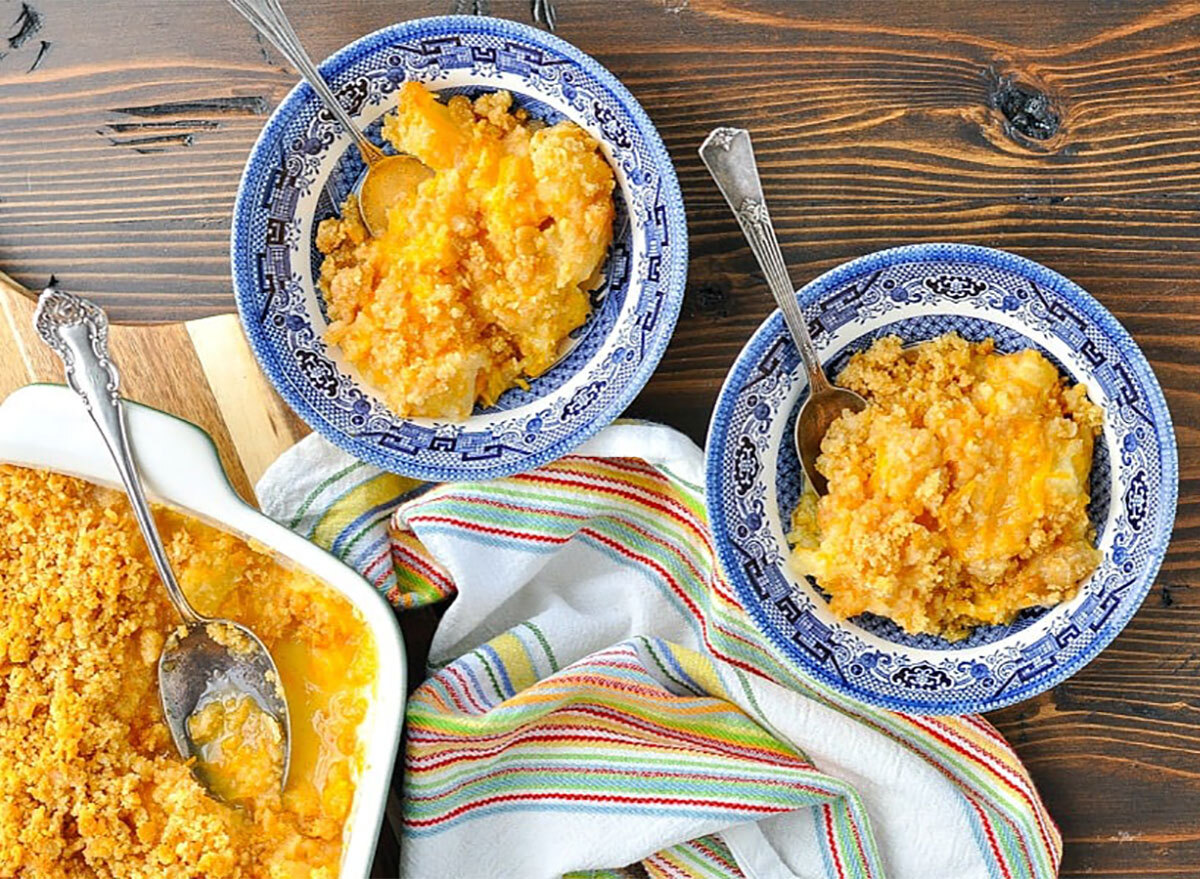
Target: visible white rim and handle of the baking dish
point(46, 427)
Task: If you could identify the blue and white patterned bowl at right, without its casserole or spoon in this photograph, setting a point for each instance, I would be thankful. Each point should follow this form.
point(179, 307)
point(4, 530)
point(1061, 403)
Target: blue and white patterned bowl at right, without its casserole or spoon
point(921, 292)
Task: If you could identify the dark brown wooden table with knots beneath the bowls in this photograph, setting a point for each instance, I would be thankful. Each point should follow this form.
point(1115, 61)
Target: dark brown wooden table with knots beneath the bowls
point(1065, 131)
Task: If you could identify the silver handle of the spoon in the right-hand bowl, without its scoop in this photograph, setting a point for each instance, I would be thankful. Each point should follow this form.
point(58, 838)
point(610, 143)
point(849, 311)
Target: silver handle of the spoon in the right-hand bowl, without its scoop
point(729, 157)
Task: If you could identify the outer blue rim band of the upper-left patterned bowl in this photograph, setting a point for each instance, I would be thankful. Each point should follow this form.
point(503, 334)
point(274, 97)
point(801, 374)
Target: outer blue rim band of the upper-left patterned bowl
point(675, 273)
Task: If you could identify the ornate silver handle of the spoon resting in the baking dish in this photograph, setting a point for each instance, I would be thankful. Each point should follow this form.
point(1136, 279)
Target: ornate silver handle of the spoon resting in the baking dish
point(77, 331)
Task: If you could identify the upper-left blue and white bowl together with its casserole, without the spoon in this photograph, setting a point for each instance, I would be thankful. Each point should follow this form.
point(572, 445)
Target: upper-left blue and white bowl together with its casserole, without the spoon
point(482, 340)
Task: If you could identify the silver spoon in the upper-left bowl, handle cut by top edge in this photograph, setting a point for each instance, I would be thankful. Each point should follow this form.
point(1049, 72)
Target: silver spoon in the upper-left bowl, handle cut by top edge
point(388, 178)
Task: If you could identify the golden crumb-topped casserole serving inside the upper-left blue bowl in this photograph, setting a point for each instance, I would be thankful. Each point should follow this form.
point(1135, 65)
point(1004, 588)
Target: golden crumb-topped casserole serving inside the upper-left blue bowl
point(485, 266)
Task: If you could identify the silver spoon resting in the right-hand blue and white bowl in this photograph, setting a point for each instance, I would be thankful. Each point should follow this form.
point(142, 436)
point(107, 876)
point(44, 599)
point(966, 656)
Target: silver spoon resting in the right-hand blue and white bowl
point(729, 158)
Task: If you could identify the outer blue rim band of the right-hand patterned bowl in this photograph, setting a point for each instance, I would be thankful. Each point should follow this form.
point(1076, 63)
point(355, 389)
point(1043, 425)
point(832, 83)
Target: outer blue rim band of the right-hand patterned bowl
point(772, 326)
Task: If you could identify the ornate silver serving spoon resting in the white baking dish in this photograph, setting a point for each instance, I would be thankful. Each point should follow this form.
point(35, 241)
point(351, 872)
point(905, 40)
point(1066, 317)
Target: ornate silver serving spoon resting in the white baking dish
point(194, 668)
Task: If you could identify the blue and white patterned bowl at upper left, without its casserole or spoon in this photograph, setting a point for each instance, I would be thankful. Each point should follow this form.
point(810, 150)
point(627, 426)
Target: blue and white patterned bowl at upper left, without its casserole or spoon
point(303, 168)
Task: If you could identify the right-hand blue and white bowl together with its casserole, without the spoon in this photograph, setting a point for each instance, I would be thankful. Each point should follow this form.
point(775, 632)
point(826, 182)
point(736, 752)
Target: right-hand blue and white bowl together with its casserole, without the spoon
point(998, 513)
